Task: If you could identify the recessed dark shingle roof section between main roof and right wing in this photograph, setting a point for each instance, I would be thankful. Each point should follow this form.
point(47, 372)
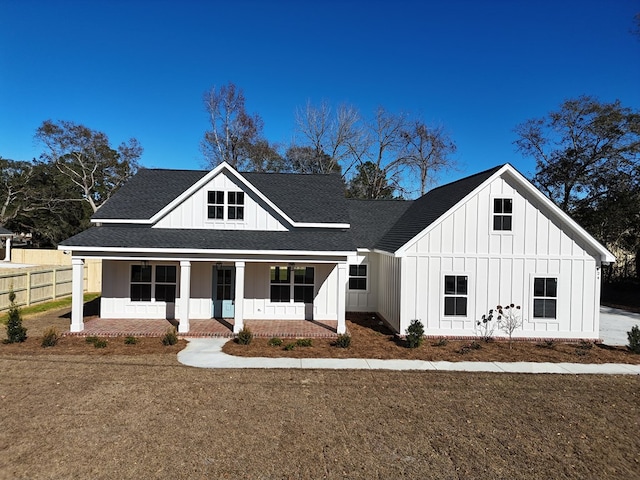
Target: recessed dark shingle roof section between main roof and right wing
point(371, 219)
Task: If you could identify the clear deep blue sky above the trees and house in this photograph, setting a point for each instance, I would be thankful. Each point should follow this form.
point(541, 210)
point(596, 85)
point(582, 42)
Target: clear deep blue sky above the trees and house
point(133, 68)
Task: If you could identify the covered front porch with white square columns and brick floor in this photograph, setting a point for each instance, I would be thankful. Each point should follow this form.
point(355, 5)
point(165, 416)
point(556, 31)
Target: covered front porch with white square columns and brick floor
point(290, 296)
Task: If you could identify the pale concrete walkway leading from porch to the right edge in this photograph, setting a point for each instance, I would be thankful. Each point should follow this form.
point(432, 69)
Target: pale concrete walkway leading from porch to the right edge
point(207, 353)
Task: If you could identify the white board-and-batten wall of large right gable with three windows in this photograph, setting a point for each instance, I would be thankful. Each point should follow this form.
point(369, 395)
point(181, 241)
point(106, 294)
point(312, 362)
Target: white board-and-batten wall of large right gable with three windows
point(501, 267)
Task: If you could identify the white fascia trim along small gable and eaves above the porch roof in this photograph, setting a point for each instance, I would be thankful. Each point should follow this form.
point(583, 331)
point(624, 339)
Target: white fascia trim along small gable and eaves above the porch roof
point(200, 183)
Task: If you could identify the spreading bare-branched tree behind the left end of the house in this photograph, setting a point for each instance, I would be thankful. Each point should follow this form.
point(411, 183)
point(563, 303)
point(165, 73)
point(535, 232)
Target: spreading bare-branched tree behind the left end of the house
point(86, 158)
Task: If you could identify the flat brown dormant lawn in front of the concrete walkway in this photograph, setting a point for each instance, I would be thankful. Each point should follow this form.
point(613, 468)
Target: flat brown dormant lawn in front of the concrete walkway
point(146, 416)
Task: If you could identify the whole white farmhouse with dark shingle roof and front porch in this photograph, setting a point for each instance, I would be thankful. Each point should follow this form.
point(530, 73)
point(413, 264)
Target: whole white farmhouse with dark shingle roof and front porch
point(223, 244)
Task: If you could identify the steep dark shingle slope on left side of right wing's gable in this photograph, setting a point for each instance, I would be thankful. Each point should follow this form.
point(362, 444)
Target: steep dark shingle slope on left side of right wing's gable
point(428, 208)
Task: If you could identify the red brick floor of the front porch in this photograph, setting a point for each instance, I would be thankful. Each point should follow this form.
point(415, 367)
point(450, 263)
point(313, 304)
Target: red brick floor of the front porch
point(106, 327)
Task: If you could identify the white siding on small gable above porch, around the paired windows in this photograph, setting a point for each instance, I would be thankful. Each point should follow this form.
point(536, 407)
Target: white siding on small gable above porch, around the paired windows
point(192, 212)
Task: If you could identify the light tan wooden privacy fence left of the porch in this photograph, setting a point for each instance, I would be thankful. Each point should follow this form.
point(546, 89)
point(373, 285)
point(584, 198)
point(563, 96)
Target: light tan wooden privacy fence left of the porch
point(35, 286)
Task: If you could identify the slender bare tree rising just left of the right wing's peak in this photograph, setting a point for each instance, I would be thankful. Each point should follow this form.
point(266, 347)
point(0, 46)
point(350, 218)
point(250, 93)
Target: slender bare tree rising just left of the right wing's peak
point(426, 151)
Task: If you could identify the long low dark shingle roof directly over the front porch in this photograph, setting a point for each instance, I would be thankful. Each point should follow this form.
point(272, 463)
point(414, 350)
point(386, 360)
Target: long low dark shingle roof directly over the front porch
point(302, 239)
